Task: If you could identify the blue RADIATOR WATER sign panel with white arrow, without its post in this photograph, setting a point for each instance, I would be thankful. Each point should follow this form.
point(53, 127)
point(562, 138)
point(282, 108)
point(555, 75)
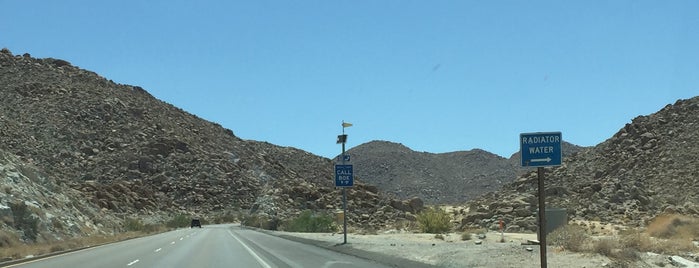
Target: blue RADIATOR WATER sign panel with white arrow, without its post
point(541, 149)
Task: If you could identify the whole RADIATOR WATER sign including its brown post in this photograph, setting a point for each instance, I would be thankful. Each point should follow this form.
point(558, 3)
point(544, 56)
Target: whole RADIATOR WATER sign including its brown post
point(541, 149)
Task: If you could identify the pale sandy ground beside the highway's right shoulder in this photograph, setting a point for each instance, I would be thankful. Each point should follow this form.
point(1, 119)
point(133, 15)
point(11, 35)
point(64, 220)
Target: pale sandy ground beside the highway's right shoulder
point(453, 252)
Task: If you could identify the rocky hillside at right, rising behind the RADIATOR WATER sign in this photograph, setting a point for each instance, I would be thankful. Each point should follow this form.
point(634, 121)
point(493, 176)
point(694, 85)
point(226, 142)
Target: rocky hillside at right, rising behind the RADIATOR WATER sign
point(648, 167)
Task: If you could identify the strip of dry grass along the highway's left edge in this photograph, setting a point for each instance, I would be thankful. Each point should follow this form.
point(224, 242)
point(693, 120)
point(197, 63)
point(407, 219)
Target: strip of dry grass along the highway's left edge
point(11, 248)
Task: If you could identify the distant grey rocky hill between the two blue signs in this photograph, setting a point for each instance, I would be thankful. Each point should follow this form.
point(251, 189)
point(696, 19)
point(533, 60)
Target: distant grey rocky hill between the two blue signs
point(435, 178)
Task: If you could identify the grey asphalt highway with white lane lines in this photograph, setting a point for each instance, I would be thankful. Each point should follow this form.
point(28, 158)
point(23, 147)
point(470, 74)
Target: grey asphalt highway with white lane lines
point(210, 246)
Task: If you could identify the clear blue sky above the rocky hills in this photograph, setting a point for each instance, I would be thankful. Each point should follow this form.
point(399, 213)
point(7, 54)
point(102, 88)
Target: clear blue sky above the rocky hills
point(436, 76)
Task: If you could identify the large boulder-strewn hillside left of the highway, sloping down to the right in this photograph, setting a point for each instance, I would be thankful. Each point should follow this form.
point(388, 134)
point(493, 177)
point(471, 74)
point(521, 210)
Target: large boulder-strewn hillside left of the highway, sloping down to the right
point(80, 153)
